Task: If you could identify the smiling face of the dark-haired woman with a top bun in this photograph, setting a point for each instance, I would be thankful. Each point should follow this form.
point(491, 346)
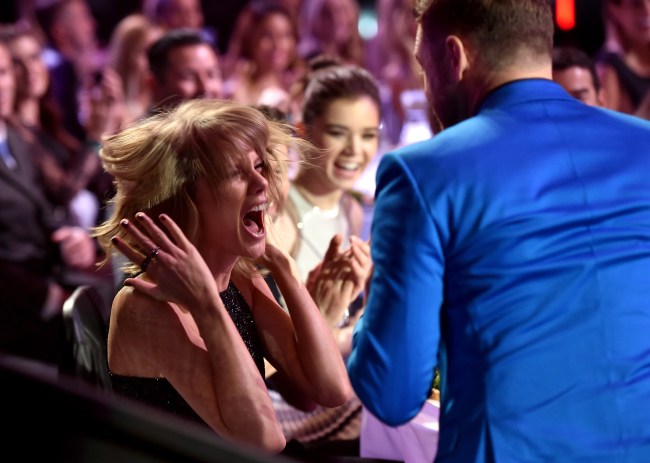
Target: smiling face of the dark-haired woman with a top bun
point(348, 132)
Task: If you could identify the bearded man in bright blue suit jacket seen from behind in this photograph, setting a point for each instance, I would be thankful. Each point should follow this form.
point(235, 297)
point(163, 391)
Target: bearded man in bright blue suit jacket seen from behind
point(512, 251)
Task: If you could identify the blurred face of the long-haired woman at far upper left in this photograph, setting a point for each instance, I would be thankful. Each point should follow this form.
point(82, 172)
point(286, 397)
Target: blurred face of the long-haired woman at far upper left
point(32, 76)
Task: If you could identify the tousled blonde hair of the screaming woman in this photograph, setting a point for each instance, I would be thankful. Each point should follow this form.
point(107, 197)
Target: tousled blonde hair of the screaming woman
point(156, 162)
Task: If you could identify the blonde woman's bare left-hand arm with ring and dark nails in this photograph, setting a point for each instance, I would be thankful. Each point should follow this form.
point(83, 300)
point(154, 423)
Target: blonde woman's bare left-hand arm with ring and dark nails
point(175, 322)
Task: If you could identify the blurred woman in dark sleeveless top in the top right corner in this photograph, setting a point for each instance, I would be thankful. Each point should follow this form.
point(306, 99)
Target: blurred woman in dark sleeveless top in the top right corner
point(623, 63)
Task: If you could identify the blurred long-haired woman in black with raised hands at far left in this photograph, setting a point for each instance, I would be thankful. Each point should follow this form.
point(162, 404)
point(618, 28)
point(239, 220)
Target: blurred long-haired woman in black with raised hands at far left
point(72, 175)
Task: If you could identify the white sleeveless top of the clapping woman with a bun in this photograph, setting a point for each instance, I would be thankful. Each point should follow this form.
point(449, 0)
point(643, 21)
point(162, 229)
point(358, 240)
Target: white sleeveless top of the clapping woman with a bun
point(316, 228)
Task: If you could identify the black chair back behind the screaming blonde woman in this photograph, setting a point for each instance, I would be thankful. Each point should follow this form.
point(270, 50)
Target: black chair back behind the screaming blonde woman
point(84, 352)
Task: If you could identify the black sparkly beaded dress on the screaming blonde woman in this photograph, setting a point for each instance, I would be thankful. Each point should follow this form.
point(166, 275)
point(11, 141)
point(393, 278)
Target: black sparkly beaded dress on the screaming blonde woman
point(159, 393)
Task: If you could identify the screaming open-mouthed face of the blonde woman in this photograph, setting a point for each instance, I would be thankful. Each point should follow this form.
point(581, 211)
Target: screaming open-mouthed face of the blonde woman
point(233, 216)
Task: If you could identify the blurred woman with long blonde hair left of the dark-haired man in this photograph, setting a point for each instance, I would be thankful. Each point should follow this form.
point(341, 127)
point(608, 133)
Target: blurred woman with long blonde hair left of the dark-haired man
point(127, 56)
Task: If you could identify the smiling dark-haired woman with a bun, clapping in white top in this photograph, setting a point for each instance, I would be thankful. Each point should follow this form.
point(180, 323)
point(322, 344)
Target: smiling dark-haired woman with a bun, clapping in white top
point(320, 225)
